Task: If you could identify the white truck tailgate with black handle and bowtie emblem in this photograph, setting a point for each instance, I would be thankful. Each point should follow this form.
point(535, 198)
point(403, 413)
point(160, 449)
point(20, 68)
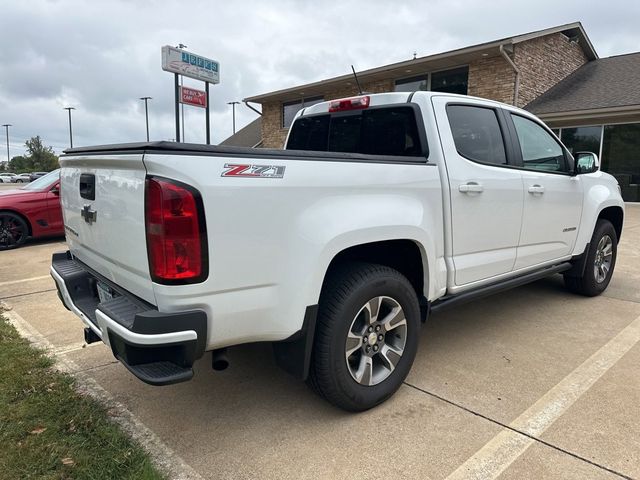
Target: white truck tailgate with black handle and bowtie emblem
point(102, 200)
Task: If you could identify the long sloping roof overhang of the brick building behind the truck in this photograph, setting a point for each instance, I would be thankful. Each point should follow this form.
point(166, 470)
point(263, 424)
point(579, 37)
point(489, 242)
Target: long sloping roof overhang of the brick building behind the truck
point(417, 66)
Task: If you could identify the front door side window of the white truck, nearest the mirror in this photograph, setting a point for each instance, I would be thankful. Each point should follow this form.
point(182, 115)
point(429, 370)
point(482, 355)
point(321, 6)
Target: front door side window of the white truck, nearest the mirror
point(540, 151)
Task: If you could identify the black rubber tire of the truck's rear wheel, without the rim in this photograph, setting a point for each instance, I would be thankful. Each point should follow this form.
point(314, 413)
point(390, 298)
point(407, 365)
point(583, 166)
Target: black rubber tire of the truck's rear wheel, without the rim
point(346, 292)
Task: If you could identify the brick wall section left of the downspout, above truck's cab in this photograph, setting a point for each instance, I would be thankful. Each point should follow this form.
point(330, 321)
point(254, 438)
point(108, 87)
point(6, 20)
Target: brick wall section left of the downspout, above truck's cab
point(492, 78)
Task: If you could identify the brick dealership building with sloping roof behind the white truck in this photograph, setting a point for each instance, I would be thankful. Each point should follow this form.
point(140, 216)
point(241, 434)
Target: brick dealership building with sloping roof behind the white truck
point(592, 103)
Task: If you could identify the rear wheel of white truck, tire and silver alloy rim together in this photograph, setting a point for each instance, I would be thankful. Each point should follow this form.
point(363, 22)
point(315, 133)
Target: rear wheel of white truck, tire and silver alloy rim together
point(366, 337)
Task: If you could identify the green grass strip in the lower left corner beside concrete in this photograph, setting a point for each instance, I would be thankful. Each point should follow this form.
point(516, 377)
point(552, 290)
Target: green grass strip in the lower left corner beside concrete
point(50, 431)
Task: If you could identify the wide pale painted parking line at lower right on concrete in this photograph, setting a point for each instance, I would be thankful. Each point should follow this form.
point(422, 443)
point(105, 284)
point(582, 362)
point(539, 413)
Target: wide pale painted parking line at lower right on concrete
point(503, 449)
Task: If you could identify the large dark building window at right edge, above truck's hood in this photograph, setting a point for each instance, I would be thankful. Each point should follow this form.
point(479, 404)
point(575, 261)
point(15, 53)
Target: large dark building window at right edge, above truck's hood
point(620, 157)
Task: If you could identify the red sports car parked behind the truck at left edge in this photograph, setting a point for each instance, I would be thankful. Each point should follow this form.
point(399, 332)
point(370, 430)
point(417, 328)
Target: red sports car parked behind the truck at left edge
point(32, 211)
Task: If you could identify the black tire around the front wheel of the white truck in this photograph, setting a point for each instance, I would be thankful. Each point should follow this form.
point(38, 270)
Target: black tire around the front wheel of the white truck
point(588, 284)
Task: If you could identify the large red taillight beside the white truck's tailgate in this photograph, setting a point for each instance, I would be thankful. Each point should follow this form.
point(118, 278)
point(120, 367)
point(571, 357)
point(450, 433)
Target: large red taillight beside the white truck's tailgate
point(176, 232)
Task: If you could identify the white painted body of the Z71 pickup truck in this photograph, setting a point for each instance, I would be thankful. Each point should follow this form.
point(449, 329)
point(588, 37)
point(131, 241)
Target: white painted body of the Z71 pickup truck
point(270, 239)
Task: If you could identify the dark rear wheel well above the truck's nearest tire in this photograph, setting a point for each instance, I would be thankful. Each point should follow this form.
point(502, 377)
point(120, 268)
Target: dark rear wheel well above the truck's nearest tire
point(401, 255)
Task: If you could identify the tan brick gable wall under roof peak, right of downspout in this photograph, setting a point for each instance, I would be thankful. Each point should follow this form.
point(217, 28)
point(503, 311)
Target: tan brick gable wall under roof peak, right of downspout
point(543, 62)
